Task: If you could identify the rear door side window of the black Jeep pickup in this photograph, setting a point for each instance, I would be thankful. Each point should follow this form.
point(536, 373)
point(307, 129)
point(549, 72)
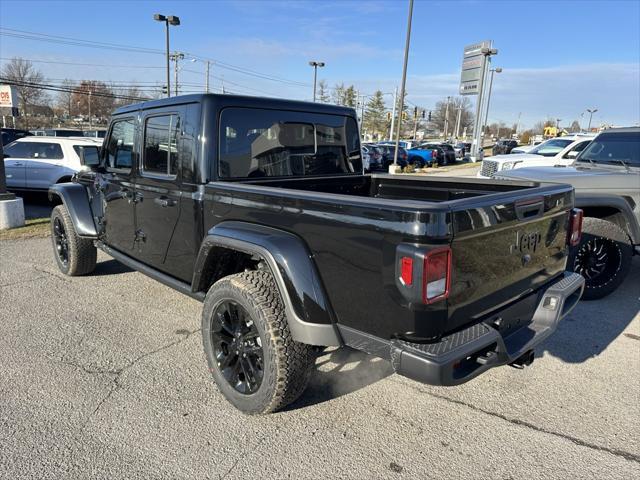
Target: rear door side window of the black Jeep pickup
point(160, 155)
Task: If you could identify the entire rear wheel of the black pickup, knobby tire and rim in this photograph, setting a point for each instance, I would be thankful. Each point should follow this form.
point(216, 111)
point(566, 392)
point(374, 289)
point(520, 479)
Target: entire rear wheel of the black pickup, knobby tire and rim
point(254, 360)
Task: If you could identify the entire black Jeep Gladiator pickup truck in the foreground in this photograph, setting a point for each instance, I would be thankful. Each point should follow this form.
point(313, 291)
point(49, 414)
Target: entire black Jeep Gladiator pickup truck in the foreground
point(259, 208)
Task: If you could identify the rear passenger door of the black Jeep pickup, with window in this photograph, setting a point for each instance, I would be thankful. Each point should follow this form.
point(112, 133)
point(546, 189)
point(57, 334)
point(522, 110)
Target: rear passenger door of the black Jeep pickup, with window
point(158, 188)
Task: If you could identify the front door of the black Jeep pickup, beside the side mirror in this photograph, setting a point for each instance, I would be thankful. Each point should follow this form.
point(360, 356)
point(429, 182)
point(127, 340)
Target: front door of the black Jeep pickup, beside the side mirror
point(117, 186)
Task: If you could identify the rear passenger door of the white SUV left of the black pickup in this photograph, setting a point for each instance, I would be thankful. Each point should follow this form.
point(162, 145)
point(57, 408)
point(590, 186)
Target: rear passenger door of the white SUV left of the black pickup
point(45, 166)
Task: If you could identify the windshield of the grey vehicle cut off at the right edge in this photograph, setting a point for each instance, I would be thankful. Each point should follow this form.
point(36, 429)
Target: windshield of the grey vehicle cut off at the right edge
point(613, 149)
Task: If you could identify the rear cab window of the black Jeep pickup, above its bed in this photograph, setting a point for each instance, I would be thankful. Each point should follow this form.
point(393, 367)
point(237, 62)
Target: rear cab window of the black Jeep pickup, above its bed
point(279, 143)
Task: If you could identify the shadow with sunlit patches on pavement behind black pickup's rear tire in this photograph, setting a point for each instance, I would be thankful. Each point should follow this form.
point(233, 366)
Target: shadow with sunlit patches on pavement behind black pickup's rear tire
point(339, 372)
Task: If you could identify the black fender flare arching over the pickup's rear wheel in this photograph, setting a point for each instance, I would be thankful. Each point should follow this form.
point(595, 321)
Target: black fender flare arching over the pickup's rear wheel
point(310, 317)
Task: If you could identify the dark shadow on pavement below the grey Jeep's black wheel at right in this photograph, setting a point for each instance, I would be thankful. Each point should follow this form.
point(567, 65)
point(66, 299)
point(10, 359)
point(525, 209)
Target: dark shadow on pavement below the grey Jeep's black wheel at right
point(580, 337)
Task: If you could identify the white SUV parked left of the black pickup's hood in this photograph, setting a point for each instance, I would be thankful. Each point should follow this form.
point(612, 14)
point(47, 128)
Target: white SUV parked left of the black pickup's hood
point(35, 163)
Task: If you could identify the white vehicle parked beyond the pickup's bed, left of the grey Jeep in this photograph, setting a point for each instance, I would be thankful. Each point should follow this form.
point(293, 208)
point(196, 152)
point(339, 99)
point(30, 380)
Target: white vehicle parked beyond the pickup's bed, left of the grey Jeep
point(556, 151)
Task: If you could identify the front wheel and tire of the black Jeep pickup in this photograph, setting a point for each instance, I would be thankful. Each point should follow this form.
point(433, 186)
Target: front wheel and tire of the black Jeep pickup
point(74, 255)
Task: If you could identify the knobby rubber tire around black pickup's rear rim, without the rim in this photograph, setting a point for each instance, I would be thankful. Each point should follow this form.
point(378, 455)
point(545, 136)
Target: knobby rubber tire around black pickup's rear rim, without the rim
point(287, 363)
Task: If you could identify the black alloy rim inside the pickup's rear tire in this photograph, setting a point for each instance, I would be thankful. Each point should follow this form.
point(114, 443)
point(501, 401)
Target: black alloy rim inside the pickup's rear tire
point(237, 347)
